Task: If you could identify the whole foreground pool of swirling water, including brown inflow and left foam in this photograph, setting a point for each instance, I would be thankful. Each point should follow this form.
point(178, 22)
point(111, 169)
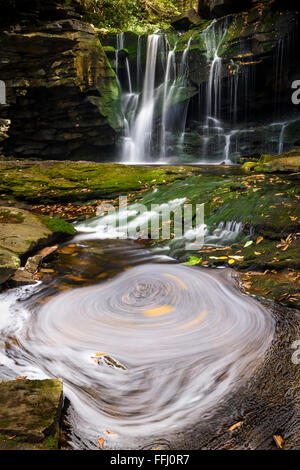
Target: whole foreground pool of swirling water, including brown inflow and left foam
point(143, 352)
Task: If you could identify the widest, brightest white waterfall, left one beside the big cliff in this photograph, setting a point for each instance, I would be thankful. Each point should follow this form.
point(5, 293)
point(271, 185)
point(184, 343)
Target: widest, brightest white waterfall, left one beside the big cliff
point(142, 110)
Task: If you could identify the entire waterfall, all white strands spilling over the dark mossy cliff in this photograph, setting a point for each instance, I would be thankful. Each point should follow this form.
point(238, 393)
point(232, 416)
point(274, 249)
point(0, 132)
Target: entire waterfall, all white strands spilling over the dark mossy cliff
point(159, 126)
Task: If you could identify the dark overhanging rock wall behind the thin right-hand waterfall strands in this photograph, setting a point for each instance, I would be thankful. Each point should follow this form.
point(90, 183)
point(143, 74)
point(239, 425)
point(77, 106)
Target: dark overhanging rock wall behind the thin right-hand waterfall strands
point(252, 46)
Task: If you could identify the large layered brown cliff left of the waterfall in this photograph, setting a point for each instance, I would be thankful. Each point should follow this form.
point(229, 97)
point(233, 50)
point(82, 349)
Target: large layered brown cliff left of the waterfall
point(62, 94)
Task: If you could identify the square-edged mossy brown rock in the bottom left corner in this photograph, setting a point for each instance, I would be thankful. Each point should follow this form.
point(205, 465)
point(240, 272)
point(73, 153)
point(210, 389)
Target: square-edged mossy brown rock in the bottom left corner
point(29, 414)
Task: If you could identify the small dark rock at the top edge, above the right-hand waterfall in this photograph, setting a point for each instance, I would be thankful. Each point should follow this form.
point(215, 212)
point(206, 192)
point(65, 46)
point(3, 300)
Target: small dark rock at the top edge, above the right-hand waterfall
point(217, 8)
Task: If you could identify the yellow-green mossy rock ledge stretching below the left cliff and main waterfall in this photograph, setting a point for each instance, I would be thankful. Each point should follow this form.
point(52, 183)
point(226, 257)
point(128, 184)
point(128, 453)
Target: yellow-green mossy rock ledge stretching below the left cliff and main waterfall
point(46, 182)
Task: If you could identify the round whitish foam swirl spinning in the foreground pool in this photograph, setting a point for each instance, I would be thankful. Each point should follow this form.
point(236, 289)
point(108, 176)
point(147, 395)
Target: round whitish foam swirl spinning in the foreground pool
point(167, 343)
